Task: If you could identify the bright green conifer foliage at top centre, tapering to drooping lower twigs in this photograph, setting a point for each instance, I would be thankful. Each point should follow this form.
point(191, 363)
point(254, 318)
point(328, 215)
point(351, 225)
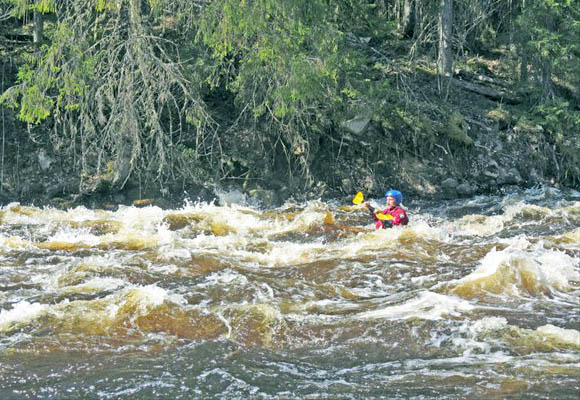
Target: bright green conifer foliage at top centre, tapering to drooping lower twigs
point(288, 64)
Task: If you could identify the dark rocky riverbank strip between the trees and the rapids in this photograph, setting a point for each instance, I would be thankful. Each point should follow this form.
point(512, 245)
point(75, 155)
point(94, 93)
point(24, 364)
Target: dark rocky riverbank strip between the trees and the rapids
point(496, 159)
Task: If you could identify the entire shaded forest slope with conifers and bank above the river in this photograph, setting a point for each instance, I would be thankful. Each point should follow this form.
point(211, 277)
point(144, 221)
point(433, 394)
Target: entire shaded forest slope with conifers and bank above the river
point(152, 101)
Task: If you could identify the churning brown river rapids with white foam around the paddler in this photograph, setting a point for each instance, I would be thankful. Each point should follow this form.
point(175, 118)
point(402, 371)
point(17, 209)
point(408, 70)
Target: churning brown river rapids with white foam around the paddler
point(475, 298)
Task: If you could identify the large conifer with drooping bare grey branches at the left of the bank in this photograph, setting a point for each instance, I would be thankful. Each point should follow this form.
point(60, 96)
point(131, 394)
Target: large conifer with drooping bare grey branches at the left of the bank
point(116, 88)
